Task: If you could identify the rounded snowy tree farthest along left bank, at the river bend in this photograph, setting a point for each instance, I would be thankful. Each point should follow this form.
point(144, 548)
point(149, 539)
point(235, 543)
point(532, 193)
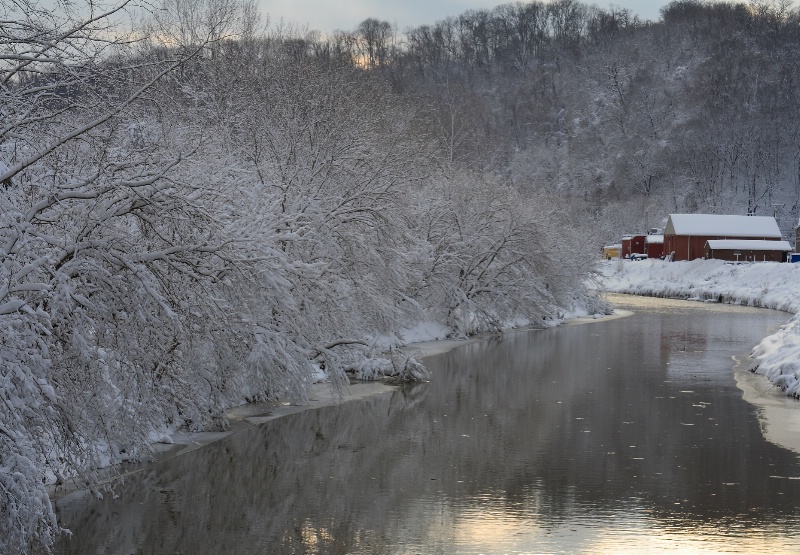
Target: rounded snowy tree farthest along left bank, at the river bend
point(490, 259)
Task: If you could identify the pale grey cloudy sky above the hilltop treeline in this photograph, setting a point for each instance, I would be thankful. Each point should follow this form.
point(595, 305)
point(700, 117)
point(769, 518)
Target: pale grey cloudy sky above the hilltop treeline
point(328, 15)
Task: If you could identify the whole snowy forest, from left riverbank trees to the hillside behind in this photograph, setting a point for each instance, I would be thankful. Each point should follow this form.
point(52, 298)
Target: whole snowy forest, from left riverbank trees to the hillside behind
point(200, 208)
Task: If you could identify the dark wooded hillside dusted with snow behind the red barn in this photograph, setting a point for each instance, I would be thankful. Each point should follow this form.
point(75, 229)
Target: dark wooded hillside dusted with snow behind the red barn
point(626, 121)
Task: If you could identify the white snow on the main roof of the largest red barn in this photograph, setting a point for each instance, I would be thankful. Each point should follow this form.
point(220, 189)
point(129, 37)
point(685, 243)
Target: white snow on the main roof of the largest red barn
point(722, 225)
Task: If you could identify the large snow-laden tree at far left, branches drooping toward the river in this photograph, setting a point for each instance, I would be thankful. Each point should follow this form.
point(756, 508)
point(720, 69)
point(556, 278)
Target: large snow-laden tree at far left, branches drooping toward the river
point(113, 272)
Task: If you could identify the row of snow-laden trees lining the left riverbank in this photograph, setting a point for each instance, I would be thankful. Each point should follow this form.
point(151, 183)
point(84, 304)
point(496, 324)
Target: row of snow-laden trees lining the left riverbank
point(185, 228)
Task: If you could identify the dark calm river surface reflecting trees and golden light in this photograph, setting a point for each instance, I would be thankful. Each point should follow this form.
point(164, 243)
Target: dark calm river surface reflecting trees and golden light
point(618, 436)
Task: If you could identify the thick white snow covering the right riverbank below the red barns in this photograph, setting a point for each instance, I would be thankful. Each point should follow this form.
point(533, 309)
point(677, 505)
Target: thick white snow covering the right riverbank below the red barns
point(763, 284)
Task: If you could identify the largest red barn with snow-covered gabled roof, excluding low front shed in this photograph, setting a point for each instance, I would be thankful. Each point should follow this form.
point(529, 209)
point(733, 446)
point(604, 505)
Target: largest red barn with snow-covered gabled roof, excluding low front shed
point(685, 235)
